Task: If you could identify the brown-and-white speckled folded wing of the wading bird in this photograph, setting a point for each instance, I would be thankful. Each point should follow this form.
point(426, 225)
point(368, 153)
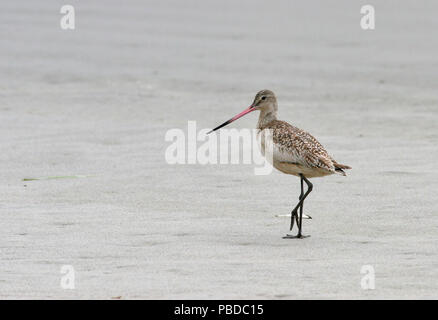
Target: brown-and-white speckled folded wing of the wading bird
point(294, 145)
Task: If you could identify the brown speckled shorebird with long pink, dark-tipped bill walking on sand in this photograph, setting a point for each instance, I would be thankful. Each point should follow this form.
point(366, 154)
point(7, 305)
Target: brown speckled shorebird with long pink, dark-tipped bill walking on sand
point(294, 151)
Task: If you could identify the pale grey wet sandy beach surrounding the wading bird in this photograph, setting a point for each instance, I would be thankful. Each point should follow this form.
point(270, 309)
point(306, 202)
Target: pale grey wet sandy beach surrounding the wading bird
point(91, 106)
